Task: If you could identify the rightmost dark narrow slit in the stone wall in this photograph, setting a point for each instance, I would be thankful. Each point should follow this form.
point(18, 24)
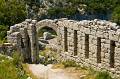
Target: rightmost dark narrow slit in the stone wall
point(112, 52)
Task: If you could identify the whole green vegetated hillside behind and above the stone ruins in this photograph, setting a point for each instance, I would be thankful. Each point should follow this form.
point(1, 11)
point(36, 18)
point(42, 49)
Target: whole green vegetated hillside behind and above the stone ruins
point(14, 11)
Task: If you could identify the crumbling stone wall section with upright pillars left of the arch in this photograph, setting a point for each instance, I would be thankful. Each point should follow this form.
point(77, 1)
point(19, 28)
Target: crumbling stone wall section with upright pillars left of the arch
point(23, 37)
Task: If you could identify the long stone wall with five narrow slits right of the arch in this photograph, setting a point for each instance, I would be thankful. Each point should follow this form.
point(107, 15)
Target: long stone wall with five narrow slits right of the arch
point(94, 43)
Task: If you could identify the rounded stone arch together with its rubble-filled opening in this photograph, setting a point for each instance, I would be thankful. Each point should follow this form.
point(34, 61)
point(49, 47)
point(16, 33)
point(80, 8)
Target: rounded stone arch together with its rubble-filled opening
point(45, 29)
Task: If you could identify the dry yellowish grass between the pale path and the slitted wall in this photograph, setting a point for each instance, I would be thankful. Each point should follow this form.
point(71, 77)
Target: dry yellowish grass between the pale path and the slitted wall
point(82, 73)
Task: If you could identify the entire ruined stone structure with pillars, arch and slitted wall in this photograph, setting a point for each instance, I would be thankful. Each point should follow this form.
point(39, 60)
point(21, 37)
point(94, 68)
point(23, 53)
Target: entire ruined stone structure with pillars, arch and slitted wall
point(92, 43)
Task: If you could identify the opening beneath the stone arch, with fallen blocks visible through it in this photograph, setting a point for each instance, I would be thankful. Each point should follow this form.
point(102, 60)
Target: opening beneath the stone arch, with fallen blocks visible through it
point(47, 38)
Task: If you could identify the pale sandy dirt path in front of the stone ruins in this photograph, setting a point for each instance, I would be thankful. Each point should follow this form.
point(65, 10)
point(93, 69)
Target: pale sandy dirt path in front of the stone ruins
point(46, 72)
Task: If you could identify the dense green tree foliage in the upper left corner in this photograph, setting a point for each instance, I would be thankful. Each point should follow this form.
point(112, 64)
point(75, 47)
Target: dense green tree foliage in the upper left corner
point(12, 11)
